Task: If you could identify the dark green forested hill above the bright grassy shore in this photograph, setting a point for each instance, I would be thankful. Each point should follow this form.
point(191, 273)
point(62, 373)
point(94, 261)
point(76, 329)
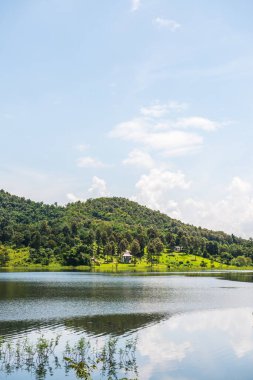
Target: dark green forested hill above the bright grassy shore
point(104, 226)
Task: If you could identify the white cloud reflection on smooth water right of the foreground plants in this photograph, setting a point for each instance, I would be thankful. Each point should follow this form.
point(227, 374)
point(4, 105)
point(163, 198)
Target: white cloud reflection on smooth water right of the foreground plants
point(205, 342)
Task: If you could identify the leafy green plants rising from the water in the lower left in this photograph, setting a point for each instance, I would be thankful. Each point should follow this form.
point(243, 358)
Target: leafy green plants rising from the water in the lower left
point(112, 360)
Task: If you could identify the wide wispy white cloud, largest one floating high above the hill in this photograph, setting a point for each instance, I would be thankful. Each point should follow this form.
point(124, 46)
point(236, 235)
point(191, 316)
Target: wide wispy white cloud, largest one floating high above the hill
point(169, 137)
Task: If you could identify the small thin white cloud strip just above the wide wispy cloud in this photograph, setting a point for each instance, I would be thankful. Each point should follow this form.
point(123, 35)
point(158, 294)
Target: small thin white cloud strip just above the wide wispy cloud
point(159, 110)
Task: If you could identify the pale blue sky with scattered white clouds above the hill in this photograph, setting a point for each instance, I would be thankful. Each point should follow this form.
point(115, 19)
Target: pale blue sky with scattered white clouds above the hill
point(145, 99)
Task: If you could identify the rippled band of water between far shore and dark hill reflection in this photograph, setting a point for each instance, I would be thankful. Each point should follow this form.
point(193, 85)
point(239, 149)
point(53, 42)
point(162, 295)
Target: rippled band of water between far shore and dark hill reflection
point(54, 296)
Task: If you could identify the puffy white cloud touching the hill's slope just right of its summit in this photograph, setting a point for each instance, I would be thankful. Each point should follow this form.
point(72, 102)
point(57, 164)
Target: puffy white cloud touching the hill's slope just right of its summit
point(153, 188)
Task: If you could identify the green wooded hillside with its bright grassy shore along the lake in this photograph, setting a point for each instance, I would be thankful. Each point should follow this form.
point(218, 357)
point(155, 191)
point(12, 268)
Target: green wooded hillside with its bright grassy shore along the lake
point(111, 235)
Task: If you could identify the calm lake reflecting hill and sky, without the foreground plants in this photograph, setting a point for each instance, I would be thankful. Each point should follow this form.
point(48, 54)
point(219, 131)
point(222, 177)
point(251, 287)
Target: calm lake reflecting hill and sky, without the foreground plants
point(188, 326)
